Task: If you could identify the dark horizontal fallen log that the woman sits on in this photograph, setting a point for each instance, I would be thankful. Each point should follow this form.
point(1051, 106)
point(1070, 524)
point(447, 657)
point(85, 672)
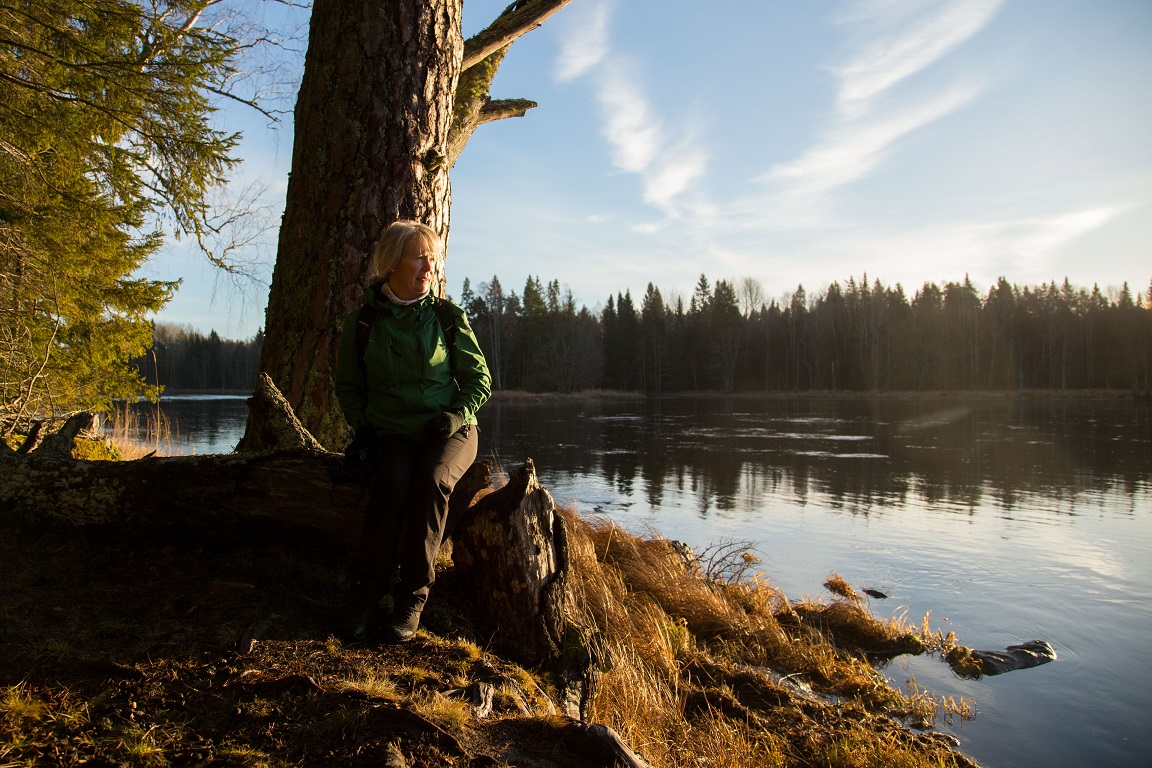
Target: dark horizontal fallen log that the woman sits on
point(287, 482)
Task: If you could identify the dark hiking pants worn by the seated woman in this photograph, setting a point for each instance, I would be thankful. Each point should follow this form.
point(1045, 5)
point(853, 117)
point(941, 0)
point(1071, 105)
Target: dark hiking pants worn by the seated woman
point(407, 514)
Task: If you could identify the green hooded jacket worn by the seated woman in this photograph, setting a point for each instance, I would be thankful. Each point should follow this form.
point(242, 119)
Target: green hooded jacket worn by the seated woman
point(407, 377)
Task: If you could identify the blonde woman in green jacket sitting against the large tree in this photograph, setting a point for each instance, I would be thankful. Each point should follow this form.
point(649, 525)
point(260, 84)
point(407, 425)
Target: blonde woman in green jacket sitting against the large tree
point(410, 382)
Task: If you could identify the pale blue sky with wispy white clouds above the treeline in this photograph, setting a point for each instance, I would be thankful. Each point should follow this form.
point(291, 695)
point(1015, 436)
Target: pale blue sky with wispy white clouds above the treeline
point(797, 143)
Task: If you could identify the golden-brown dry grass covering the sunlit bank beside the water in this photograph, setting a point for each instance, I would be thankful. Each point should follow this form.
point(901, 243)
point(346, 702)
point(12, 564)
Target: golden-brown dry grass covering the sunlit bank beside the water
point(702, 666)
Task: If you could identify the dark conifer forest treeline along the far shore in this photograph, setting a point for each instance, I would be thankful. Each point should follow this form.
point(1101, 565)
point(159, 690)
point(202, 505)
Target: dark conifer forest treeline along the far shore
point(729, 338)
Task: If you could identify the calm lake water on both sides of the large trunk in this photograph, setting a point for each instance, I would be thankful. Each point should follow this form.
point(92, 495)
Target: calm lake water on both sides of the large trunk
point(1009, 521)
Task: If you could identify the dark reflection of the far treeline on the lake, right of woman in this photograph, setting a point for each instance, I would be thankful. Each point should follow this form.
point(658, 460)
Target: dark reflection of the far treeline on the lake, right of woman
point(862, 458)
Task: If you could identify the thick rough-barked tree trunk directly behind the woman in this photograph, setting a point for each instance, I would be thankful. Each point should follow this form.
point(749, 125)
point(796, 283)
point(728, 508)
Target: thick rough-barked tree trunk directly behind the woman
point(373, 124)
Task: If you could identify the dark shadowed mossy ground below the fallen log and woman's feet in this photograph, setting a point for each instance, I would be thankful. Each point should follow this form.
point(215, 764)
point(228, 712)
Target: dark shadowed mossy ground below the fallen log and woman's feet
point(119, 650)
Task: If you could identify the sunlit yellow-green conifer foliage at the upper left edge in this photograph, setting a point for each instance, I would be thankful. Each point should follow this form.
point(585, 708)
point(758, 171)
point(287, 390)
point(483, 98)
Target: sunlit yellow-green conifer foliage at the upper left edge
point(104, 139)
